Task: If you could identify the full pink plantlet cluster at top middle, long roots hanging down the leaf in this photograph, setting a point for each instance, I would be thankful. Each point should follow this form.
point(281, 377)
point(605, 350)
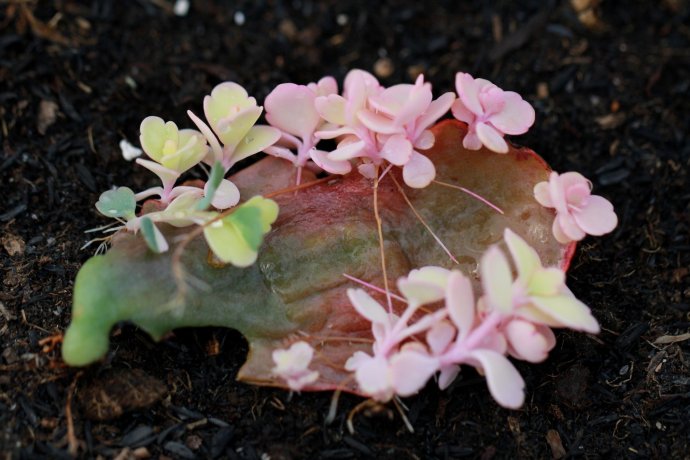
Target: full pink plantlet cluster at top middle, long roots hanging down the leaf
point(380, 124)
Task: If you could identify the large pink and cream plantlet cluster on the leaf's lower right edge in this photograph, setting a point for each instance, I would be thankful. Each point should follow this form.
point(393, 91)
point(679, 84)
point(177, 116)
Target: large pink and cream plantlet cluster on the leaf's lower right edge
point(513, 317)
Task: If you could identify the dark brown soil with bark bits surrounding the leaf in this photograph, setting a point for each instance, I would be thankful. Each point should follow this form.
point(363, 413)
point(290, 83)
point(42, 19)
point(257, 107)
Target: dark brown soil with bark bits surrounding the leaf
point(610, 84)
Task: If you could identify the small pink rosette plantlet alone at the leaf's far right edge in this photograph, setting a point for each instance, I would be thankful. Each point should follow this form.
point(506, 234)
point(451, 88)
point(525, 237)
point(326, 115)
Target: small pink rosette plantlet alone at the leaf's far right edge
point(578, 212)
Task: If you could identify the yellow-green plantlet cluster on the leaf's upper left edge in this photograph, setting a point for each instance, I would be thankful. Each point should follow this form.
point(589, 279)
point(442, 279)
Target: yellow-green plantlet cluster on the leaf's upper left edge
point(234, 238)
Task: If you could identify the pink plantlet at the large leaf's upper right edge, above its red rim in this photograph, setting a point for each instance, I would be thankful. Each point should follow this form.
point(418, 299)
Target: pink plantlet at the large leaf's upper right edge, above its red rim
point(490, 113)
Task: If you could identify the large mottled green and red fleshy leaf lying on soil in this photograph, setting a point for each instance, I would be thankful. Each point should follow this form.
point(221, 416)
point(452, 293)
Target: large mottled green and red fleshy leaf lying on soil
point(296, 290)
